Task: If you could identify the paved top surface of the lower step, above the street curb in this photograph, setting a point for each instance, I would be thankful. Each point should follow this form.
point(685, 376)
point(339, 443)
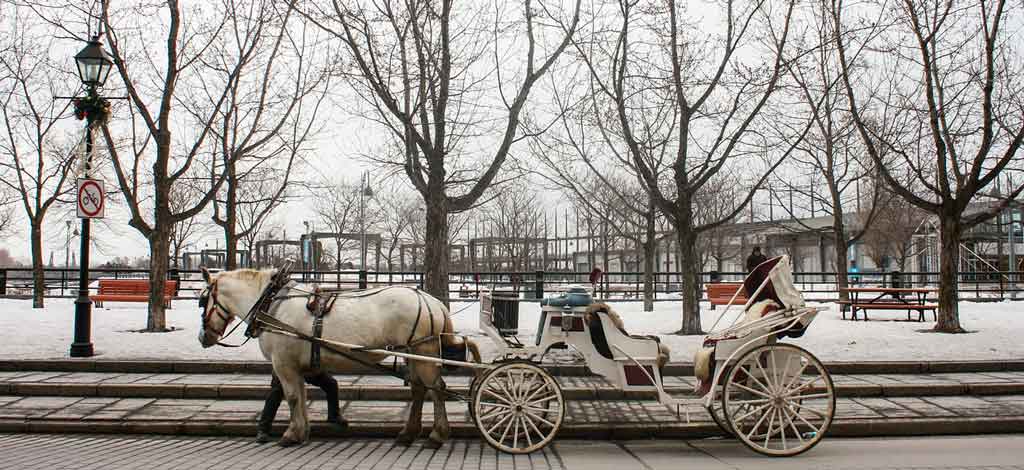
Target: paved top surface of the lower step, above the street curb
point(578, 413)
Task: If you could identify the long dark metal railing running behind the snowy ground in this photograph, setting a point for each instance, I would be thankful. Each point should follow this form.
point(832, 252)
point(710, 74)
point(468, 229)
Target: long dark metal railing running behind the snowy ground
point(535, 285)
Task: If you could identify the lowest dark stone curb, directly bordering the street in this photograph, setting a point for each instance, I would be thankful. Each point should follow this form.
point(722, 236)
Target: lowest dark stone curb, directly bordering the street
point(625, 432)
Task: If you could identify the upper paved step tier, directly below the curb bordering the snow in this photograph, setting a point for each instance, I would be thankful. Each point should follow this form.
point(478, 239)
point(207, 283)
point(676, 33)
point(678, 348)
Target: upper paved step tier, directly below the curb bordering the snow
point(377, 388)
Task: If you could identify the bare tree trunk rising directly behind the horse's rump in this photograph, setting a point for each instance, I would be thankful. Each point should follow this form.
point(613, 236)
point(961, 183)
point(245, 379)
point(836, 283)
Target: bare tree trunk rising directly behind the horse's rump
point(436, 252)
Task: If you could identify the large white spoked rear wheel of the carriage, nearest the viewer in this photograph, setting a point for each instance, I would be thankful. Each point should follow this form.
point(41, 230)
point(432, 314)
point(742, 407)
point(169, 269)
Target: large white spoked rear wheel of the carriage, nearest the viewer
point(779, 400)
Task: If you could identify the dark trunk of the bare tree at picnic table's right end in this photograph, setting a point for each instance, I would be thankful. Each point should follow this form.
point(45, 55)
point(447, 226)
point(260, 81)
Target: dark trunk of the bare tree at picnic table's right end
point(950, 235)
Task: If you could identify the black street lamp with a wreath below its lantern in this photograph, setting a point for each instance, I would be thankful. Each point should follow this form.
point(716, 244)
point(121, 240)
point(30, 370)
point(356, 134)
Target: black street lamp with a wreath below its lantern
point(94, 67)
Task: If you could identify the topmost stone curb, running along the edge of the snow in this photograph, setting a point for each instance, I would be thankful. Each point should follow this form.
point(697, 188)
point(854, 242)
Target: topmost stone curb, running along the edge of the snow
point(674, 369)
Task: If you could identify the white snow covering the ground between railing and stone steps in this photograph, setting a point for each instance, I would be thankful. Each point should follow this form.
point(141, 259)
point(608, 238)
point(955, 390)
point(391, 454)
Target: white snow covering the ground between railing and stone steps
point(998, 327)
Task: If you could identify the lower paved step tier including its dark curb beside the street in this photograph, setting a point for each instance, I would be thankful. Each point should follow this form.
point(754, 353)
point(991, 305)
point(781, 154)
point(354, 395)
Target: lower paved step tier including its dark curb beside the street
point(612, 419)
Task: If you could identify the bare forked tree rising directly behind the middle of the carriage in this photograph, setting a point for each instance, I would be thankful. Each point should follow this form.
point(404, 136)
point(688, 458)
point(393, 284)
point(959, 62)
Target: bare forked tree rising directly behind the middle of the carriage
point(664, 88)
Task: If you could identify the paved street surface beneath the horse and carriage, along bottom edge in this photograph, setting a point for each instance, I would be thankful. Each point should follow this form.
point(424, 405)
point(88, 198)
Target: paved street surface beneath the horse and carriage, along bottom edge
point(101, 452)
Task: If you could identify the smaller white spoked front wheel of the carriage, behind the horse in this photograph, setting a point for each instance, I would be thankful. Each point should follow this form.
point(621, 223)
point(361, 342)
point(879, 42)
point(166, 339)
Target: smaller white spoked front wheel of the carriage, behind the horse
point(519, 408)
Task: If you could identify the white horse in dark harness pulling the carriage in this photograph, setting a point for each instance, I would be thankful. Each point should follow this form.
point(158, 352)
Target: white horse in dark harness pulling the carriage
point(385, 317)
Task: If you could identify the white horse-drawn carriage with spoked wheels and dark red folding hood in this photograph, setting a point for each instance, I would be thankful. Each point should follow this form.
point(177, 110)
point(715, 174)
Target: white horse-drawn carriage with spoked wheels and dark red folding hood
point(778, 399)
